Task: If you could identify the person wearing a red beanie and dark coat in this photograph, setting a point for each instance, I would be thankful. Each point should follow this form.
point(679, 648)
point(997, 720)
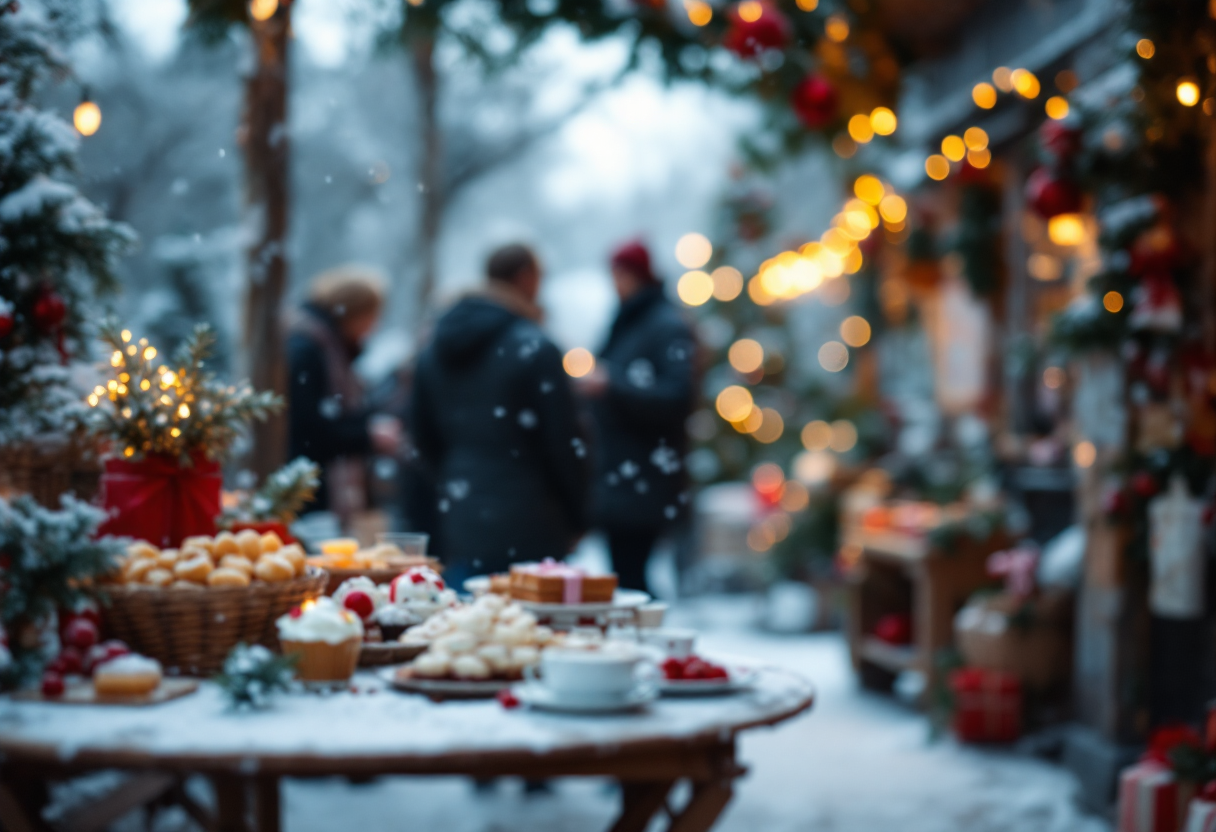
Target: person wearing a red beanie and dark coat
point(643, 391)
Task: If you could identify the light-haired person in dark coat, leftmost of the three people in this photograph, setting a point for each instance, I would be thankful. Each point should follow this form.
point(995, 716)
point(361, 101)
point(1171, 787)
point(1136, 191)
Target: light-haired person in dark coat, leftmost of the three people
point(329, 421)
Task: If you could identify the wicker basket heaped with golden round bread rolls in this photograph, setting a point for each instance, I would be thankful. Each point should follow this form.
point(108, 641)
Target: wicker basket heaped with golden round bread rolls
point(188, 608)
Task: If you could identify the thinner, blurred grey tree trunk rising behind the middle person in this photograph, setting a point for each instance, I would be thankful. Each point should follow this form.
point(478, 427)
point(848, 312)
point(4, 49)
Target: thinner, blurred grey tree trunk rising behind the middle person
point(431, 182)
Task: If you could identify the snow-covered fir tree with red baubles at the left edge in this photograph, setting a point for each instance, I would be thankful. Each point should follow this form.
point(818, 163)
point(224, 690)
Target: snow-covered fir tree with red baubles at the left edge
point(58, 250)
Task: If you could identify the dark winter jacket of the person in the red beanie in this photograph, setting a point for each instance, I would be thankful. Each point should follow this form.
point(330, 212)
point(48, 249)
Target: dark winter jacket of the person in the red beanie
point(640, 481)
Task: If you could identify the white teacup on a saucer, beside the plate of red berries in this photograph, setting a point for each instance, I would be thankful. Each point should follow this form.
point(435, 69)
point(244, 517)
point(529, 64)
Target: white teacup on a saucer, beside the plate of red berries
point(609, 674)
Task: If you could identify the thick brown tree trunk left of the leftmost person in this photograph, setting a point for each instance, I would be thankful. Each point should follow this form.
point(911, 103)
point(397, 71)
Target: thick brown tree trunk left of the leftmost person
point(264, 138)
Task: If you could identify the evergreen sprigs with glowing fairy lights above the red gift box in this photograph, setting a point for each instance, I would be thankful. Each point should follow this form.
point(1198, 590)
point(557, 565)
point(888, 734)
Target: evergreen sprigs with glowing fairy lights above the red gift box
point(177, 409)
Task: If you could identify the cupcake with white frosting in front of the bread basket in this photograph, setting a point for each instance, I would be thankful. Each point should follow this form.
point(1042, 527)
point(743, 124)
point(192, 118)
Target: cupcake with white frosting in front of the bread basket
point(325, 637)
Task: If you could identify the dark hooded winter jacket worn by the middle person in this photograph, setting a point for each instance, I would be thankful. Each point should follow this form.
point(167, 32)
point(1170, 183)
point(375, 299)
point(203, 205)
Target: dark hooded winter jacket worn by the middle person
point(496, 419)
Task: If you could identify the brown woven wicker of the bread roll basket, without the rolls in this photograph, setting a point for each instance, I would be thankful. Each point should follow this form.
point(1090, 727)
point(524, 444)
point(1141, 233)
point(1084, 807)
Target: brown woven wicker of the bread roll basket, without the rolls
point(194, 632)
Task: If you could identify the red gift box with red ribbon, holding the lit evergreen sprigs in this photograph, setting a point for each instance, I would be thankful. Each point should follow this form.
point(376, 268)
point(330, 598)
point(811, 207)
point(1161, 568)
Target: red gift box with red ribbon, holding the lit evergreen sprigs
point(160, 501)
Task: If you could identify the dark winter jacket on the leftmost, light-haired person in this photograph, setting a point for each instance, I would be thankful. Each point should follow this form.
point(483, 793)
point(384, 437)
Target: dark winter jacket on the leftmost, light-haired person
point(326, 419)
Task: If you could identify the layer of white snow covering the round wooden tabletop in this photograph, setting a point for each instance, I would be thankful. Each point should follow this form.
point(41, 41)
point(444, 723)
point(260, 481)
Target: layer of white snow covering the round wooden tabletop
point(376, 722)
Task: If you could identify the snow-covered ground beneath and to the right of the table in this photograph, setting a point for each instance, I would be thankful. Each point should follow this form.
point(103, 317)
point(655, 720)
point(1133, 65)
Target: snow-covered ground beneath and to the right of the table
point(857, 763)
